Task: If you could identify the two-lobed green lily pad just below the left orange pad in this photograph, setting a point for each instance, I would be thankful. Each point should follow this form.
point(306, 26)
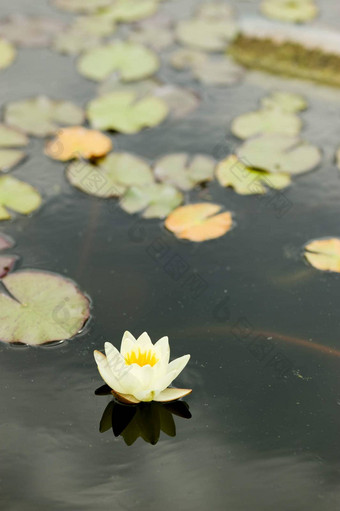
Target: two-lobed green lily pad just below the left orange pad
point(112, 177)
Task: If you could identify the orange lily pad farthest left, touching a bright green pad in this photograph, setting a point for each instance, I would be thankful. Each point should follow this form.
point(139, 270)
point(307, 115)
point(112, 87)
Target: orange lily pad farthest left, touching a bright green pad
point(78, 142)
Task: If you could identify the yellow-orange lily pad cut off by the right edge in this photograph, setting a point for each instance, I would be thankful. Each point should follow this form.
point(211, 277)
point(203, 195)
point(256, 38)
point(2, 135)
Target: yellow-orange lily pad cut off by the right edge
point(324, 254)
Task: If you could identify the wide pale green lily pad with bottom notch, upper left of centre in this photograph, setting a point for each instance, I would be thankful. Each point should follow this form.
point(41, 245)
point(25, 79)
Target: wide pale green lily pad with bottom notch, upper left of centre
point(130, 60)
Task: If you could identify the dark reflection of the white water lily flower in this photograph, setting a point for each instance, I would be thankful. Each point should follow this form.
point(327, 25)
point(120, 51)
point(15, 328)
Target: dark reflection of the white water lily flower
point(145, 420)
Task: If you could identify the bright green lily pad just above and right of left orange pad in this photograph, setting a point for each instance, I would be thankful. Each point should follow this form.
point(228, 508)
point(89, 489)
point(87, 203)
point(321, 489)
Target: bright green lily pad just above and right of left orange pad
point(122, 111)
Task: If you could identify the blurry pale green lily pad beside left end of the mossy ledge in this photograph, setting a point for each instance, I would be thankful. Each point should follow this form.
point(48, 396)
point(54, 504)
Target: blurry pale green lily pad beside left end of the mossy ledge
point(205, 34)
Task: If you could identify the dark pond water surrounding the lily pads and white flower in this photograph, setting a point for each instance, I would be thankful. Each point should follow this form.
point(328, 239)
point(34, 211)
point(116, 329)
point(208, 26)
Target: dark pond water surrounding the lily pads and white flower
point(262, 328)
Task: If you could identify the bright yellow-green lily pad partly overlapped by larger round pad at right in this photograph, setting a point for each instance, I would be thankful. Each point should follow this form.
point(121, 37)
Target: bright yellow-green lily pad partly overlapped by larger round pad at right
point(247, 181)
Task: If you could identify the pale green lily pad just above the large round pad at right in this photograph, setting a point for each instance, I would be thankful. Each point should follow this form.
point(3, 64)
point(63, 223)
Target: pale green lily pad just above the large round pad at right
point(266, 121)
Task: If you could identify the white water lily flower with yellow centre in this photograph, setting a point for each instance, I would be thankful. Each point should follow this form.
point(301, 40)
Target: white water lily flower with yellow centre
point(141, 370)
